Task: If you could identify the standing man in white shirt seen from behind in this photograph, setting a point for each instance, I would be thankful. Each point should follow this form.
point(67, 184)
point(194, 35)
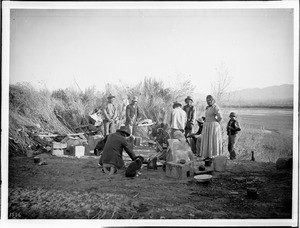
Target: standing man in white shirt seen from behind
point(178, 119)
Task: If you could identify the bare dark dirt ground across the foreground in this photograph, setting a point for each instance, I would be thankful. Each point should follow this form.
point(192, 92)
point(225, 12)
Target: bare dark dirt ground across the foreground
point(77, 188)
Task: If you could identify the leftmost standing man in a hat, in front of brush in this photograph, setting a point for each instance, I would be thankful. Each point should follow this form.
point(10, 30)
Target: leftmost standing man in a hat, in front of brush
point(110, 116)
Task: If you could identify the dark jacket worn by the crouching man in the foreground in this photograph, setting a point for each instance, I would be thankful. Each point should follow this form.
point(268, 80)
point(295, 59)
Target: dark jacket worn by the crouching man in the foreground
point(113, 149)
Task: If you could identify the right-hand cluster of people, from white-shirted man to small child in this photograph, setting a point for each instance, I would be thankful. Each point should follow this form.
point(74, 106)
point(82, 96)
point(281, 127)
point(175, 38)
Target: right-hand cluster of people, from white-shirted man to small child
point(207, 141)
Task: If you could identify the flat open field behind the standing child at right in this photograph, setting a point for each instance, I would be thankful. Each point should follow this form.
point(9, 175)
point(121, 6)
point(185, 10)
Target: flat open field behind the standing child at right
point(268, 132)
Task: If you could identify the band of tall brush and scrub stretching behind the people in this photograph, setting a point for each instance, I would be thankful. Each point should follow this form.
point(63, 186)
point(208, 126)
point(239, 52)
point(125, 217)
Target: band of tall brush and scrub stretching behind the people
point(63, 110)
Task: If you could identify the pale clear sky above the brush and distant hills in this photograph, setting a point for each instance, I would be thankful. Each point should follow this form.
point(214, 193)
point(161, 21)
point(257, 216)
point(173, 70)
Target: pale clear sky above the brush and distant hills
point(54, 48)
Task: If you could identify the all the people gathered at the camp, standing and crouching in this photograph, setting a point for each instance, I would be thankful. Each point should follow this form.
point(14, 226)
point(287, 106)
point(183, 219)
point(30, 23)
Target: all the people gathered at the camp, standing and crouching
point(205, 143)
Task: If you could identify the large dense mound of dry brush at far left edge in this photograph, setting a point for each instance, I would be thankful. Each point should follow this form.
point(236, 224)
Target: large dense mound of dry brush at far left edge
point(30, 111)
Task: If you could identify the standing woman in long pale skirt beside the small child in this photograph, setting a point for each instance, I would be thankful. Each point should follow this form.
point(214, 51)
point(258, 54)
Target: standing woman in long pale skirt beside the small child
point(211, 138)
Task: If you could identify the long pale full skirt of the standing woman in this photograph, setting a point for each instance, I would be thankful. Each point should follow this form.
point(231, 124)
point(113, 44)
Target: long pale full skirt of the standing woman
point(211, 140)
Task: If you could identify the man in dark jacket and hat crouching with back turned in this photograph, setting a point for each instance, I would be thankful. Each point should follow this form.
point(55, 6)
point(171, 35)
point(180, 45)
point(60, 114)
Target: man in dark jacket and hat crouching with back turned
point(111, 158)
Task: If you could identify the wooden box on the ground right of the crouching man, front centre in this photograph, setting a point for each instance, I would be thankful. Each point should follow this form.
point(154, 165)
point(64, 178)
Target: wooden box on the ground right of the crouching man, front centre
point(179, 171)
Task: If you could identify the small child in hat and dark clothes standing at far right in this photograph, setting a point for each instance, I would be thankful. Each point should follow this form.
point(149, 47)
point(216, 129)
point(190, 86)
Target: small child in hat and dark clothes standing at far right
point(232, 130)
